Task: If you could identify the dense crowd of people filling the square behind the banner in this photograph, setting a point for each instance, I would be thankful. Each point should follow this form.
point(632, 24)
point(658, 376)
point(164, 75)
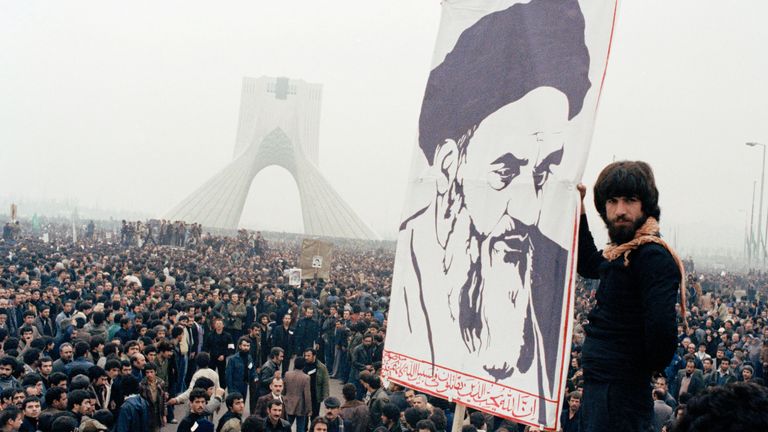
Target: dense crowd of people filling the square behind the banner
point(112, 335)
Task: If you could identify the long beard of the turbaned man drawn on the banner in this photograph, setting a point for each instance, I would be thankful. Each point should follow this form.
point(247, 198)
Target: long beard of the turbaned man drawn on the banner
point(501, 261)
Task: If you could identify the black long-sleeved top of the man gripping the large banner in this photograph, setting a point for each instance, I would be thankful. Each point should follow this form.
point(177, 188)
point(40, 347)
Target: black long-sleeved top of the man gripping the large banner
point(632, 329)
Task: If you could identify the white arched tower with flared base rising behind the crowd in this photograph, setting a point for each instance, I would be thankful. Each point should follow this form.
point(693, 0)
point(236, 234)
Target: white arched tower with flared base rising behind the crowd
point(279, 122)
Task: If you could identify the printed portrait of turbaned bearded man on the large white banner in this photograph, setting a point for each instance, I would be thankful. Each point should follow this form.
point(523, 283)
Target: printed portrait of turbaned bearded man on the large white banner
point(480, 277)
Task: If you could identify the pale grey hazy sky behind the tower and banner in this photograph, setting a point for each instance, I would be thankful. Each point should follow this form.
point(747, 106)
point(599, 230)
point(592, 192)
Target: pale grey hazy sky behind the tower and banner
point(132, 105)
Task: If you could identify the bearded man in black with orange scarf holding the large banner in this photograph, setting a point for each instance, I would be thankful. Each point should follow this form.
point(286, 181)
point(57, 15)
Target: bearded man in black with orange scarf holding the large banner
point(632, 328)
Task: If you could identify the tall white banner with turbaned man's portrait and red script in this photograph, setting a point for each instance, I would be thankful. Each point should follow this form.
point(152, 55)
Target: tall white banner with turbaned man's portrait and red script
point(482, 294)
